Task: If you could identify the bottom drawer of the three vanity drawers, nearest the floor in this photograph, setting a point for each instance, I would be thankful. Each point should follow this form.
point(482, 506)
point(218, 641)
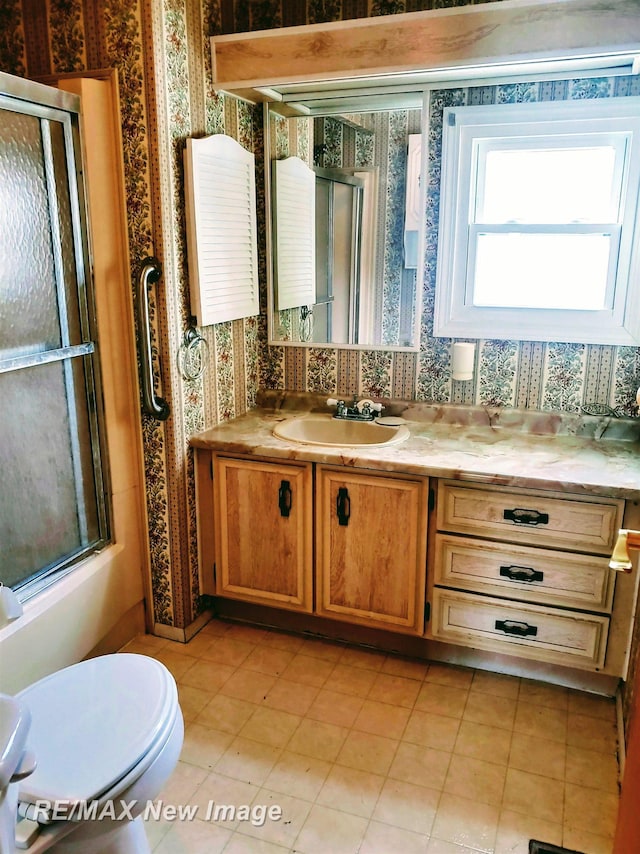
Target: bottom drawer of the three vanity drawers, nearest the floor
point(529, 631)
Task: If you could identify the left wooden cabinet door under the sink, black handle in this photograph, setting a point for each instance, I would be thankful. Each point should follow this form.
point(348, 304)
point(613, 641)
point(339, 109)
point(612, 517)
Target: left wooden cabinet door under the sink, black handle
point(264, 521)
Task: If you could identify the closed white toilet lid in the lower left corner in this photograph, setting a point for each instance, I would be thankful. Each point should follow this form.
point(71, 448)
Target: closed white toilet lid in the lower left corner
point(93, 722)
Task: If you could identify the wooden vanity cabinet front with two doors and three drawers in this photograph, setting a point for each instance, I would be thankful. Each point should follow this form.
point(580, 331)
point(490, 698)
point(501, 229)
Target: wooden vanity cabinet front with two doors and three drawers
point(510, 571)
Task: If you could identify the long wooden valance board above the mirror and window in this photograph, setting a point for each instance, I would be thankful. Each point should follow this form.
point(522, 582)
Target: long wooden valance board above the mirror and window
point(416, 41)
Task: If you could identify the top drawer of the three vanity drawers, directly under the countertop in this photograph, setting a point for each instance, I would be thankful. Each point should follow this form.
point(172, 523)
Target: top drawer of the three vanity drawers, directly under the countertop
point(532, 517)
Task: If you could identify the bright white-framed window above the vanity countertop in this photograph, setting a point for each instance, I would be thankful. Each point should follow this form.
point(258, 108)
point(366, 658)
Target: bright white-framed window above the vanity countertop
point(538, 212)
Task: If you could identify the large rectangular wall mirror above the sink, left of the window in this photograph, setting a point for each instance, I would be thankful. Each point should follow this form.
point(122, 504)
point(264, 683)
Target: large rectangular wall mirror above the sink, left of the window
point(362, 258)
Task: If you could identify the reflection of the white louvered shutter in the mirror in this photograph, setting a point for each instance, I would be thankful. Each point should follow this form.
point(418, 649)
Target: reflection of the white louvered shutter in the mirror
point(295, 233)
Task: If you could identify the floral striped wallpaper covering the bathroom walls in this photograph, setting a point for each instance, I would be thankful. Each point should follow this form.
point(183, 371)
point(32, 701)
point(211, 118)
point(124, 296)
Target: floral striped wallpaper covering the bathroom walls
point(162, 53)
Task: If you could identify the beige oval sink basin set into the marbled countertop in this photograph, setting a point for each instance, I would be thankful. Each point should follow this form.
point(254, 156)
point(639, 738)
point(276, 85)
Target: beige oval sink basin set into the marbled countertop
point(334, 432)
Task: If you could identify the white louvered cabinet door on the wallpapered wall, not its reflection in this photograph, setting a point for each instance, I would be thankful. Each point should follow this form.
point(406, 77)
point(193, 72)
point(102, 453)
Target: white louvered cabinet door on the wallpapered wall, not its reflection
point(221, 229)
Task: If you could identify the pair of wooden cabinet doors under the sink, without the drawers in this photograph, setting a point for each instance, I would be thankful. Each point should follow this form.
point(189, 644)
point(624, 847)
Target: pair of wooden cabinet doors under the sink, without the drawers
point(370, 539)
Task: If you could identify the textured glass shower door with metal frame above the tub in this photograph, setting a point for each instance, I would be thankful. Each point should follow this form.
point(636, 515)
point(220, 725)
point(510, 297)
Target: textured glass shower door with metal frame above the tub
point(52, 496)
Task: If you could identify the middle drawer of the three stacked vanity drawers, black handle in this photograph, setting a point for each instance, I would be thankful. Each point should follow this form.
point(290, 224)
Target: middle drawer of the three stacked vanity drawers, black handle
point(521, 572)
